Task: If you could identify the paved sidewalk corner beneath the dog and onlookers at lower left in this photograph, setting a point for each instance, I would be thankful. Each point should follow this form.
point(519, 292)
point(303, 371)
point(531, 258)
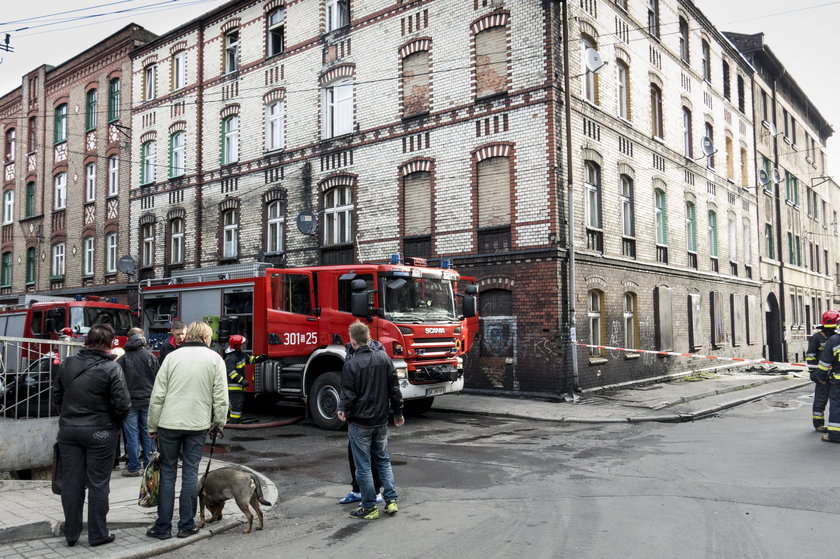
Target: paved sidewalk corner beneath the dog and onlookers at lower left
point(31, 519)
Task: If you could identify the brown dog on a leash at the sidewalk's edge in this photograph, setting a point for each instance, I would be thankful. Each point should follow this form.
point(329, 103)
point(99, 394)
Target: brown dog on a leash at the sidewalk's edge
point(218, 486)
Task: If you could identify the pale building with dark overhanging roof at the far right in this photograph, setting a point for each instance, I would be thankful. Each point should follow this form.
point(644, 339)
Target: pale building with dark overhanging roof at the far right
point(797, 211)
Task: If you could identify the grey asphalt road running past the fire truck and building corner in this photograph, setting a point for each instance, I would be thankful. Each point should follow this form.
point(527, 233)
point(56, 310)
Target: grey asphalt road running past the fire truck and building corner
point(753, 482)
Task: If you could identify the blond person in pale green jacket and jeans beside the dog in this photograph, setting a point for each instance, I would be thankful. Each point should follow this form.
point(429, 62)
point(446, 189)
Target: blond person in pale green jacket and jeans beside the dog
point(189, 397)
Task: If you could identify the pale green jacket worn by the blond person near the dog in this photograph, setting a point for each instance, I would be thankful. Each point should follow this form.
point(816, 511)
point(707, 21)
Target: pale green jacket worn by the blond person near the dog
point(190, 391)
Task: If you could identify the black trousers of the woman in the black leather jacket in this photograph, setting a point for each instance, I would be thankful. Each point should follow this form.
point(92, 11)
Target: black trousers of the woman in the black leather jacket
point(87, 457)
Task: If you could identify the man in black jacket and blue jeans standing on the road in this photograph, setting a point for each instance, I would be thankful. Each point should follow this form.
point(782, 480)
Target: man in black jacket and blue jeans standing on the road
point(368, 385)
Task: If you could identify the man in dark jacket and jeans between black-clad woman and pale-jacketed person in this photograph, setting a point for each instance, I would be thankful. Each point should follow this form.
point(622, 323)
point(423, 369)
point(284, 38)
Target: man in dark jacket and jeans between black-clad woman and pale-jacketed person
point(140, 368)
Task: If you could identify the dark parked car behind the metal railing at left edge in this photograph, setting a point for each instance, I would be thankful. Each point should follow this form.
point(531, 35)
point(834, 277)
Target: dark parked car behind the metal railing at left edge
point(28, 393)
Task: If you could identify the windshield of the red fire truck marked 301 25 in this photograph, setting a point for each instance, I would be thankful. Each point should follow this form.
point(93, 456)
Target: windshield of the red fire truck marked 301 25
point(418, 299)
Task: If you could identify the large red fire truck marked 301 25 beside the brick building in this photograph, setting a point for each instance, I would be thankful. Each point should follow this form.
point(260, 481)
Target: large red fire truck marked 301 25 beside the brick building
point(299, 318)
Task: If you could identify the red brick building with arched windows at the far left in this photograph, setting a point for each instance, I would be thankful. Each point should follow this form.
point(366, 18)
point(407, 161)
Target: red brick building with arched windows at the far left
point(66, 173)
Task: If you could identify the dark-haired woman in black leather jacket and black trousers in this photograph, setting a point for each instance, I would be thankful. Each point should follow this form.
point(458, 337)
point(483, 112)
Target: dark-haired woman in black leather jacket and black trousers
point(90, 393)
